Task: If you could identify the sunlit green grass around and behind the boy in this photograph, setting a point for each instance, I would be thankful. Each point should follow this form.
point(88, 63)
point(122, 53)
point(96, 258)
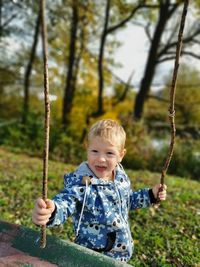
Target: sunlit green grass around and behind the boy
point(165, 236)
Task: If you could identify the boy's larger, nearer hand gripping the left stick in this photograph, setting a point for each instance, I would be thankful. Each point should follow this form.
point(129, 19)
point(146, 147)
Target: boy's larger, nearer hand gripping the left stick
point(42, 211)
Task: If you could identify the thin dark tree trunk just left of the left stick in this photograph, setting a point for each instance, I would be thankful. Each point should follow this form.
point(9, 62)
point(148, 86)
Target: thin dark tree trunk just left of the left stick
point(29, 70)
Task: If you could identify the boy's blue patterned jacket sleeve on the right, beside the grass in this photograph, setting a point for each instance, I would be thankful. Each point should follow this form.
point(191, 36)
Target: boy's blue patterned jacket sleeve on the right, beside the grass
point(140, 199)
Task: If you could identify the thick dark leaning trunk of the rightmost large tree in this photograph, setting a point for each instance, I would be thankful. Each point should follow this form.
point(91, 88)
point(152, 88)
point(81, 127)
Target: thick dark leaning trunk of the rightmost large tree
point(164, 15)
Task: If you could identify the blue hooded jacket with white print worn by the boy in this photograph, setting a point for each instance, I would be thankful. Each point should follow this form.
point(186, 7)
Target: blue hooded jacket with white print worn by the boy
point(100, 210)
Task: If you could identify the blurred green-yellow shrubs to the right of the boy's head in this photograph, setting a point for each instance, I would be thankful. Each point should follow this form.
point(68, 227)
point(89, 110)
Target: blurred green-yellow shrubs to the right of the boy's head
point(150, 152)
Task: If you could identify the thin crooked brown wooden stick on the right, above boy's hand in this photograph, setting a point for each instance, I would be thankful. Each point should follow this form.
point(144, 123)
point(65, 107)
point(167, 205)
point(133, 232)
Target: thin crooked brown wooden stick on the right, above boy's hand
point(172, 93)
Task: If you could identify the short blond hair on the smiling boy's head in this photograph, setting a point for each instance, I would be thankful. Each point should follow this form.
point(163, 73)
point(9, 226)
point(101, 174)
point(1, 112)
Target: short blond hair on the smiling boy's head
point(109, 130)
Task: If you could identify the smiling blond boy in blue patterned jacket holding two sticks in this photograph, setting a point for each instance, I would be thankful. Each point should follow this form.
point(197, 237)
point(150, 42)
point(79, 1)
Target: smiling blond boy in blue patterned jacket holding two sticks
point(98, 196)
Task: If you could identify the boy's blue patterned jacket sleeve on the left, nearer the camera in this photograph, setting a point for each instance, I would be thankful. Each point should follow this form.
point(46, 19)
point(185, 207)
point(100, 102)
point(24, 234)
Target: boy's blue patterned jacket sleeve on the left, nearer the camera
point(66, 201)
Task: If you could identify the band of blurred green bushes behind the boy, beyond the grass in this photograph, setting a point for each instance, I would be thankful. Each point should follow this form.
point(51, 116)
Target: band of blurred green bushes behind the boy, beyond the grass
point(146, 151)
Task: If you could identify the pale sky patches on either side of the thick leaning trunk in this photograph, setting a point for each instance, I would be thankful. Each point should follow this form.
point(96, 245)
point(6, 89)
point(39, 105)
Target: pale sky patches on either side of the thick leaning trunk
point(133, 55)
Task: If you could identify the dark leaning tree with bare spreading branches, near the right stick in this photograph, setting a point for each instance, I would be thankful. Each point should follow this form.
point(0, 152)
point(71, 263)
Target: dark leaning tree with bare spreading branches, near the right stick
point(162, 51)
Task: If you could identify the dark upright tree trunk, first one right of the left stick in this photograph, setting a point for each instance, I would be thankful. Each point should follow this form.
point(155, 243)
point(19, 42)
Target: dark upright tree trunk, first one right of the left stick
point(70, 86)
